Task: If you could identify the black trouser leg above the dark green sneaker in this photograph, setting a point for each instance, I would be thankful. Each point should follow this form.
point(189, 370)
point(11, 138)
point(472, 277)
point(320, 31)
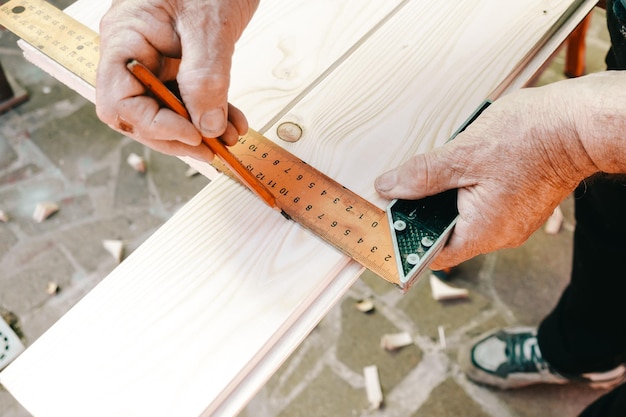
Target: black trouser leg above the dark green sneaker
point(586, 332)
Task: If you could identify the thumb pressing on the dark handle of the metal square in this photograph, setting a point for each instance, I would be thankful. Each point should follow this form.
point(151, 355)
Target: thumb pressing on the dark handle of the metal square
point(421, 176)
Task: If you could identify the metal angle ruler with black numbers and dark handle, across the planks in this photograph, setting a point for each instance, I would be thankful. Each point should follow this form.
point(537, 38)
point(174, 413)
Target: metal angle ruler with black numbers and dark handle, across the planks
point(397, 243)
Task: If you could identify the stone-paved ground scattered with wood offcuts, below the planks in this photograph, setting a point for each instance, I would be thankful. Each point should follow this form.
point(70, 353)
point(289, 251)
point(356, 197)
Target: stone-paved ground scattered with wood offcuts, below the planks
point(53, 148)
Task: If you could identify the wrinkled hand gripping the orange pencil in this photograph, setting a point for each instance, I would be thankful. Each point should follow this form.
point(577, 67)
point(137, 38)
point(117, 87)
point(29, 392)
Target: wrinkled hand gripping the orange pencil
point(189, 41)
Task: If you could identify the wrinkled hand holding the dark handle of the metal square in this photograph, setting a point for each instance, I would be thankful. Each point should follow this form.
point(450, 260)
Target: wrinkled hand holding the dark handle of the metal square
point(512, 166)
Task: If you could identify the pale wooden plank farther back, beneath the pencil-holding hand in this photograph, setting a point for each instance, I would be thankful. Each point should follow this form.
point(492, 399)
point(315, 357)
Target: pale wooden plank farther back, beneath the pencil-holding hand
point(291, 45)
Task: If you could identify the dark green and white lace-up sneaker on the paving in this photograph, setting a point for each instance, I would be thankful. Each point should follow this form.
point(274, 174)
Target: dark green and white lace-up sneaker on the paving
point(510, 358)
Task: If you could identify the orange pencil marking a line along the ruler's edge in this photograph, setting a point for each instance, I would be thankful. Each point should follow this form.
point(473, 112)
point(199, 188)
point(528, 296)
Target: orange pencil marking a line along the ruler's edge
point(156, 87)
